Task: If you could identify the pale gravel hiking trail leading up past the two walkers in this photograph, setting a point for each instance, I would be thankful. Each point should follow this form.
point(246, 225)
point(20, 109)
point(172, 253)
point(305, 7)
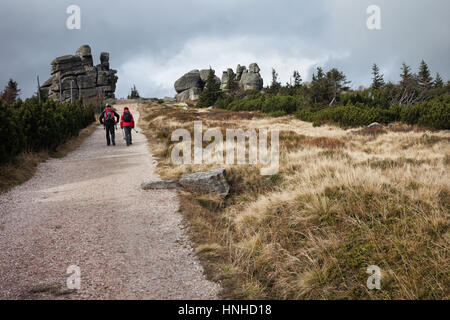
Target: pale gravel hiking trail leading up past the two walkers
point(87, 209)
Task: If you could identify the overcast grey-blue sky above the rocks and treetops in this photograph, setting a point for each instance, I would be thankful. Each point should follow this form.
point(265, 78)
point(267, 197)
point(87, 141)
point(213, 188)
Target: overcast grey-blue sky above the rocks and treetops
point(152, 43)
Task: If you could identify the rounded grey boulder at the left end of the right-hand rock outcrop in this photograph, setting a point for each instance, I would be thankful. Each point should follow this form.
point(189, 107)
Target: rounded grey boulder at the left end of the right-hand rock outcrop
point(190, 85)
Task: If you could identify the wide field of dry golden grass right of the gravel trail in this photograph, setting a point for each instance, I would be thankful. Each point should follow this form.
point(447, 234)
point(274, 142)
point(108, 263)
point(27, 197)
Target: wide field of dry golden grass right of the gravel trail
point(343, 200)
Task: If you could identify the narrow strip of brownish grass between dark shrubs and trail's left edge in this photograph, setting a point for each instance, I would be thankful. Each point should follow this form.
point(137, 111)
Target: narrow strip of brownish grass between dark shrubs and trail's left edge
point(23, 167)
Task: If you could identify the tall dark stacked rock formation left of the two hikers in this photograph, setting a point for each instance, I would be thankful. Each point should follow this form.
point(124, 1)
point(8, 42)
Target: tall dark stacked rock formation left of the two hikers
point(74, 76)
